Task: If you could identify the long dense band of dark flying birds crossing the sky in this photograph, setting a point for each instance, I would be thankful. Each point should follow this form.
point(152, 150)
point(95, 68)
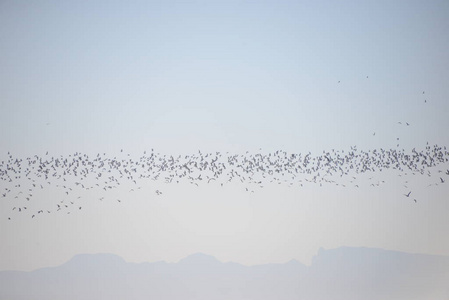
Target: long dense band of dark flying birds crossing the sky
point(78, 171)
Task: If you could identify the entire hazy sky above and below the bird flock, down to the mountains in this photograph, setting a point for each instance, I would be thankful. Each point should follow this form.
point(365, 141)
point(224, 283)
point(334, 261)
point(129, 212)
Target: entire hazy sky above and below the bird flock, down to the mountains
point(237, 76)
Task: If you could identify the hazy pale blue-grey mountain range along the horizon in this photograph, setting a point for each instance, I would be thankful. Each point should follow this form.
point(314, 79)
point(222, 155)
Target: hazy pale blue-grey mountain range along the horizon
point(342, 273)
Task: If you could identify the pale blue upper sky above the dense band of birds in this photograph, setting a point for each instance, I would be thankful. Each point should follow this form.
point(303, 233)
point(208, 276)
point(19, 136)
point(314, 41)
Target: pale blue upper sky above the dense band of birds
point(108, 74)
